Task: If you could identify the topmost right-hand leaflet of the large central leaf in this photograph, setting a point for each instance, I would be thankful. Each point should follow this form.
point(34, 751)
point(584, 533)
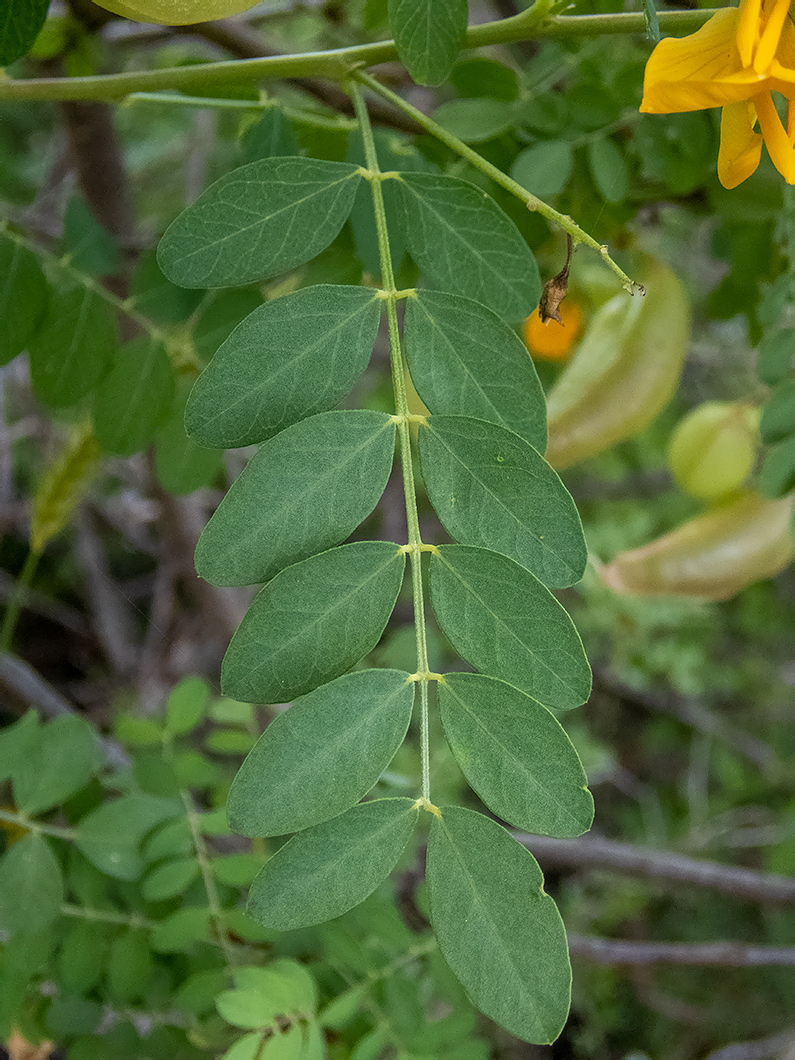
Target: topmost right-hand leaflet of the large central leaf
point(468, 245)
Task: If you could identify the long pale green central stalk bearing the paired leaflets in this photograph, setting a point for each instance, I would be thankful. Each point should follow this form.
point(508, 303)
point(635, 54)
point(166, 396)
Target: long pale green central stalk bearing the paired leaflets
point(401, 402)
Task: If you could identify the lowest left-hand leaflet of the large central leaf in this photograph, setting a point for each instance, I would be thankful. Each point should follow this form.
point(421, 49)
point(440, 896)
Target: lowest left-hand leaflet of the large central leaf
point(328, 870)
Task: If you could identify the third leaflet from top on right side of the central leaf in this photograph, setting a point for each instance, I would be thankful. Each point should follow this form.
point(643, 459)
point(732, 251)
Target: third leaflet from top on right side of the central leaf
point(491, 489)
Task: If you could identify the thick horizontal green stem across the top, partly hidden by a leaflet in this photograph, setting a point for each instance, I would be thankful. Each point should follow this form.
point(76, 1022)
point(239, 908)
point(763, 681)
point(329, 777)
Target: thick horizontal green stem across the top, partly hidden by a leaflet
point(334, 64)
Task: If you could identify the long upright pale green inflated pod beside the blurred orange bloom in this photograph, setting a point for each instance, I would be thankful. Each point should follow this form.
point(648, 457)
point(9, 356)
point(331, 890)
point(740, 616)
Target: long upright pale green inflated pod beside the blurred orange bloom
point(625, 372)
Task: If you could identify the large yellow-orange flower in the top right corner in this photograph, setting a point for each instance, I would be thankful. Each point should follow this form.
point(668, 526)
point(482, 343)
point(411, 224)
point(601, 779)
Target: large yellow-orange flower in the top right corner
point(736, 61)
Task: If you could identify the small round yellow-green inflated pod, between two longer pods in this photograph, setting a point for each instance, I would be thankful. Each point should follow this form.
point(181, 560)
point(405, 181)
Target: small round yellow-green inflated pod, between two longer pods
point(713, 450)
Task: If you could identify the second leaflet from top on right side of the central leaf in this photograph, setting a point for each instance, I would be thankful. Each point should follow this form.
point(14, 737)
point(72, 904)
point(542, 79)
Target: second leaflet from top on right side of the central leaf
point(465, 361)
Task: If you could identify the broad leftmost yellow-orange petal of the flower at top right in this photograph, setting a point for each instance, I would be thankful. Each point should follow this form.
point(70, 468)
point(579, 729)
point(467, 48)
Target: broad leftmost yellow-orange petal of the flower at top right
point(703, 70)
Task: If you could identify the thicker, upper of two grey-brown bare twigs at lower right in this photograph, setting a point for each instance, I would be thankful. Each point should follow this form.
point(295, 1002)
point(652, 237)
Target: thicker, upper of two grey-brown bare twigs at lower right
point(596, 853)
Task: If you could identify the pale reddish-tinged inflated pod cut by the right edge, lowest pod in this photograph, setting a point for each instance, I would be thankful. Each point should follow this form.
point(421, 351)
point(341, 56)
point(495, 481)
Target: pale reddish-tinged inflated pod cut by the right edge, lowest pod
point(712, 557)
